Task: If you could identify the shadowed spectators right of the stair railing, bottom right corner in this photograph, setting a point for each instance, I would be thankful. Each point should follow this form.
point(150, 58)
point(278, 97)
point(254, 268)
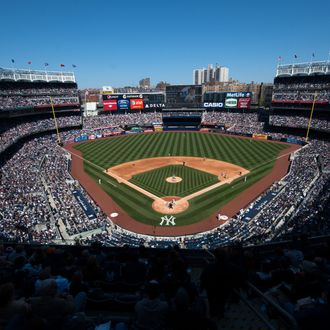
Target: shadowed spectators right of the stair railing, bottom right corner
point(296, 278)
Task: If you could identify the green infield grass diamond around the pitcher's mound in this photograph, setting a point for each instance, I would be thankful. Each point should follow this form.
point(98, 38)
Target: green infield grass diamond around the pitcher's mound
point(193, 180)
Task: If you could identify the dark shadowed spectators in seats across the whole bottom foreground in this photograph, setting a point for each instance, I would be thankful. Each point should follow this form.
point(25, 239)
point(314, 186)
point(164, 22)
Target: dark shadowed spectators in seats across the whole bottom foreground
point(54, 287)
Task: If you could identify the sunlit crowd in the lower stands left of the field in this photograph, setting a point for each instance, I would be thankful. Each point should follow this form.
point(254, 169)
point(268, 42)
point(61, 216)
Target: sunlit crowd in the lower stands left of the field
point(36, 195)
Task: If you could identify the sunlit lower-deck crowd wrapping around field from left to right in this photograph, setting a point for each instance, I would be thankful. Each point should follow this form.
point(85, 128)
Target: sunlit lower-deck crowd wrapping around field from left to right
point(40, 197)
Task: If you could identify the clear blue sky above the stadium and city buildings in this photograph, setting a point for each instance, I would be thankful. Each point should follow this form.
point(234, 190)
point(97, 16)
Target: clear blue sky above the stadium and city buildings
point(119, 42)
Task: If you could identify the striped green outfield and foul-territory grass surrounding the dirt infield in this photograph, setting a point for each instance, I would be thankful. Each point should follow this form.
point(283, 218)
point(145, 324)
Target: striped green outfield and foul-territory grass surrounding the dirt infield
point(254, 155)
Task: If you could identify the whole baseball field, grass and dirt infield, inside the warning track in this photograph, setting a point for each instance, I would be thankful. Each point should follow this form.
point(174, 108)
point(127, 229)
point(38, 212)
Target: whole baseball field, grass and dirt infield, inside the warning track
point(198, 172)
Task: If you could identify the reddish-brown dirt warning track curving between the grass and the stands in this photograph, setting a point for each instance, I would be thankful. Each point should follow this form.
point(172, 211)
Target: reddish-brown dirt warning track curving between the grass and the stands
point(210, 222)
